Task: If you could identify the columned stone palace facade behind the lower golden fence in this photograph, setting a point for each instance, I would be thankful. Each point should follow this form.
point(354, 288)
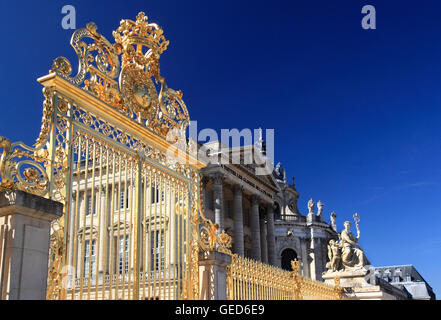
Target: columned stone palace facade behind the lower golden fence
point(260, 212)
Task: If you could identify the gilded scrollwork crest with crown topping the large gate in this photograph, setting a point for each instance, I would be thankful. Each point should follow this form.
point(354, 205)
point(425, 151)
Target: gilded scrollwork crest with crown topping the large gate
point(134, 60)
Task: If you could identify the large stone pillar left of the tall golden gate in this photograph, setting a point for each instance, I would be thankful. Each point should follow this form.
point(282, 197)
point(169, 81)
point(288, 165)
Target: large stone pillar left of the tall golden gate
point(25, 224)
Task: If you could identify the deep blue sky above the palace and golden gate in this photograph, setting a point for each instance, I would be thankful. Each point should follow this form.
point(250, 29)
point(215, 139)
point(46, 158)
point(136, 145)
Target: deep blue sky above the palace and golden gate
point(356, 113)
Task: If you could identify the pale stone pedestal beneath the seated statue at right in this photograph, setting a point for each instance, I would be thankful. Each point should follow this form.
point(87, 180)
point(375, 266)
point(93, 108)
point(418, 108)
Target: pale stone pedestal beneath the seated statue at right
point(361, 285)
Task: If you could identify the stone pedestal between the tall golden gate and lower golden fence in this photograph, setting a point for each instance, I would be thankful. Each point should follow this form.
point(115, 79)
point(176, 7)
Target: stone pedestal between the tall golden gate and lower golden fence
point(213, 275)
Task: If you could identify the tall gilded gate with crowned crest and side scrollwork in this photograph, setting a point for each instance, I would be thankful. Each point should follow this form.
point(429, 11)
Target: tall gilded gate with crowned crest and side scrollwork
point(131, 222)
